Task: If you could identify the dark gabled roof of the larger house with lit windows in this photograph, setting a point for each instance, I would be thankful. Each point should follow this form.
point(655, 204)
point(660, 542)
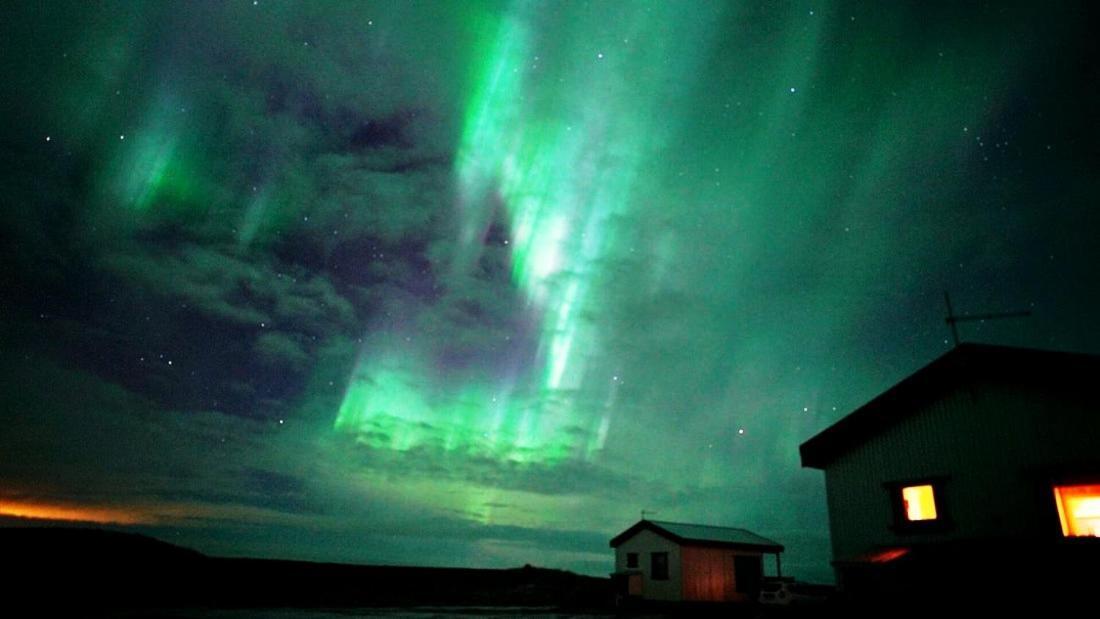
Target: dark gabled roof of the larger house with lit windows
point(964, 364)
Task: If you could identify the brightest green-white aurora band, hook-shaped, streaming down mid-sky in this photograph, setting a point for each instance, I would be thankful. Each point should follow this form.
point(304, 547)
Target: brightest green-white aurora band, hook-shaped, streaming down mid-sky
point(556, 141)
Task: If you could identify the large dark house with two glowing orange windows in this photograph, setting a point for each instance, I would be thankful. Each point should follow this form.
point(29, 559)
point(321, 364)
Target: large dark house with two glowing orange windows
point(982, 470)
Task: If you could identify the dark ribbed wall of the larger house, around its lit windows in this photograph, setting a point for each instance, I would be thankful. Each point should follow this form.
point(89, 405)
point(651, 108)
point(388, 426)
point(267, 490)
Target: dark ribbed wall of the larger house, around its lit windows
point(994, 443)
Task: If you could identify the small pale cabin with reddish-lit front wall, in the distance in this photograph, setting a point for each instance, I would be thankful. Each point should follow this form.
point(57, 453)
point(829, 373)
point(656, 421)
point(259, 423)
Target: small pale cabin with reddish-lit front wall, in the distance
point(678, 562)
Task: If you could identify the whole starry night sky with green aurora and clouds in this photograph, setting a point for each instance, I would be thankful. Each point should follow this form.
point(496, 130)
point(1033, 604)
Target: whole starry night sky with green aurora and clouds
point(474, 284)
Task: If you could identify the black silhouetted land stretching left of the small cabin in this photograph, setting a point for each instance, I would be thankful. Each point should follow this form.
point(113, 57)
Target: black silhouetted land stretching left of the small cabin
point(93, 571)
